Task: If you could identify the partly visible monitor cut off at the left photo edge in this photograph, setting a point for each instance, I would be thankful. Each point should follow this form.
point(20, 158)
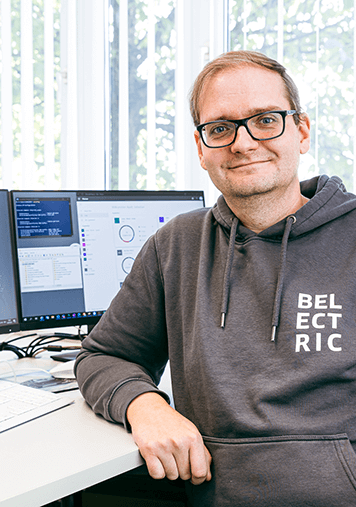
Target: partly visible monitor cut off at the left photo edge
point(9, 319)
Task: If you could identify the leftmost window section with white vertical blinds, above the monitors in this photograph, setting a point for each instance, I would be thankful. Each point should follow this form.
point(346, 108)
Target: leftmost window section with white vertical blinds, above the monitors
point(30, 111)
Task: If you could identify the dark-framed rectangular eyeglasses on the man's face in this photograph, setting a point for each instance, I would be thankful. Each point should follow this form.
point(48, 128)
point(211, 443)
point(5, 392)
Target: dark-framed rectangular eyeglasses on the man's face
point(261, 127)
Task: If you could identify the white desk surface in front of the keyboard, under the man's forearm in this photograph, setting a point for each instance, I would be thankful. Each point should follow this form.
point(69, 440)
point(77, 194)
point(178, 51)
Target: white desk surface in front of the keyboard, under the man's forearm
point(61, 453)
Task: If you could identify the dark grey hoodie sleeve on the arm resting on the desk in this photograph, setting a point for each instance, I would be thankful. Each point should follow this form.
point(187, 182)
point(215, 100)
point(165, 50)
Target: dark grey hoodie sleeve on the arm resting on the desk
point(126, 353)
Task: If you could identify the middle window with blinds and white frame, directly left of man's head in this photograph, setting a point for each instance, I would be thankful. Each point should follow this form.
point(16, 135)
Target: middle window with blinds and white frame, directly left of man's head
point(154, 55)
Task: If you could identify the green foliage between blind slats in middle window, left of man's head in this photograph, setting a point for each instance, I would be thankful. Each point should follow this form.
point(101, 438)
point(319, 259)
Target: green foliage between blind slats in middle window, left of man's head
point(165, 93)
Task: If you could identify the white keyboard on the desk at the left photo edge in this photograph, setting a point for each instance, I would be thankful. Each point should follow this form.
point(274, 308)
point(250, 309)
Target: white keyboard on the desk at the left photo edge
point(20, 404)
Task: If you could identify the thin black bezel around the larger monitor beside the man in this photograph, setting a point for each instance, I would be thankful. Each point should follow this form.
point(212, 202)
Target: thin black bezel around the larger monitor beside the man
point(90, 321)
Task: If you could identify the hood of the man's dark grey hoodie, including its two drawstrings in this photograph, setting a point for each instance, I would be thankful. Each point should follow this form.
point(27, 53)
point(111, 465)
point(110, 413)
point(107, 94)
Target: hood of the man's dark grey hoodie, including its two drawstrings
point(328, 200)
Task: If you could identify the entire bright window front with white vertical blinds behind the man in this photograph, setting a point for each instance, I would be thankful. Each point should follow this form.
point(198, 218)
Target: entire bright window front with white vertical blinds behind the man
point(94, 92)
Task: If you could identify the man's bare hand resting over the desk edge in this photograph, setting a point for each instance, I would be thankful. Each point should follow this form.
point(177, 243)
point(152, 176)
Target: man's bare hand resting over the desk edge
point(170, 444)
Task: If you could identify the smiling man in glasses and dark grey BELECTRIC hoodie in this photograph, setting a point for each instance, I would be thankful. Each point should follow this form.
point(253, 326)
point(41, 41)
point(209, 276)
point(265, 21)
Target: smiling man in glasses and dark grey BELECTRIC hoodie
point(252, 301)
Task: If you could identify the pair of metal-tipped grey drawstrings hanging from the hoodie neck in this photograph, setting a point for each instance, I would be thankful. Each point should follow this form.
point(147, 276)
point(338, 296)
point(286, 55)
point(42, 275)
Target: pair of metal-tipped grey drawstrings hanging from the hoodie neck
point(283, 260)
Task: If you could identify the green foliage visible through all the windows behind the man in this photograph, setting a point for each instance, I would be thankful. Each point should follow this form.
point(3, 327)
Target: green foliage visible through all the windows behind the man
point(318, 47)
